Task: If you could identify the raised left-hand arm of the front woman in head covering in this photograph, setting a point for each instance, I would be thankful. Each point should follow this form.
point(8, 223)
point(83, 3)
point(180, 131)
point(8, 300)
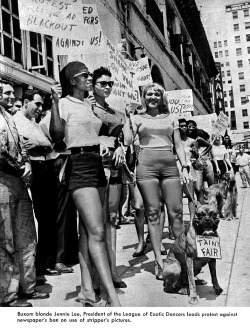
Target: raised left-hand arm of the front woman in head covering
point(56, 128)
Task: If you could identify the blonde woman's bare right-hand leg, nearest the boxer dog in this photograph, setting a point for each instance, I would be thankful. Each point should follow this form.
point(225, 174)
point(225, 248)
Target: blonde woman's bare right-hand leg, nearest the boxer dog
point(172, 195)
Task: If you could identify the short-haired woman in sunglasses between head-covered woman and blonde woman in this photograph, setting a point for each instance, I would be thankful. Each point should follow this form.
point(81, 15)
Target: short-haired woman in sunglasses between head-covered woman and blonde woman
point(113, 132)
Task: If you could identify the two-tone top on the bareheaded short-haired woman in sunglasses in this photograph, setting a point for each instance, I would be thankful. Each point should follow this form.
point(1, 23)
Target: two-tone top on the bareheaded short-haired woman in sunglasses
point(112, 124)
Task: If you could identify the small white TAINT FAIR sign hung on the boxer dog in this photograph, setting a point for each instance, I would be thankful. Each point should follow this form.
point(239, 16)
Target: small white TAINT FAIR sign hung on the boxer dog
point(208, 246)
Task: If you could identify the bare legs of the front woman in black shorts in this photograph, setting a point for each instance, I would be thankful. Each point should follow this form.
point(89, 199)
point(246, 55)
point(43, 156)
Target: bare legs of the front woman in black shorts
point(89, 206)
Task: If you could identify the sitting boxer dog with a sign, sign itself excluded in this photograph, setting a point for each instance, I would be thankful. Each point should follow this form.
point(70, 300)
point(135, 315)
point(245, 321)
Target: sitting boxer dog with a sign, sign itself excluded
point(182, 264)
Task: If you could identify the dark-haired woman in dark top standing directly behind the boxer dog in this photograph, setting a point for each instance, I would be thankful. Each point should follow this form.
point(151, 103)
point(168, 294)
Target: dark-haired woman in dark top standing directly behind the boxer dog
point(202, 164)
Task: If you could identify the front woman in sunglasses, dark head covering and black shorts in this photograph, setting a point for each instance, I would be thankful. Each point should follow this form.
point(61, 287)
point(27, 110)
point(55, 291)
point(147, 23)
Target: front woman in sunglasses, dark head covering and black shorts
point(74, 119)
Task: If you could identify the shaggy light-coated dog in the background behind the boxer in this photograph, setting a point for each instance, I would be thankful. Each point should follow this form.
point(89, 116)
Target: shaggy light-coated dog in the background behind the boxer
point(224, 196)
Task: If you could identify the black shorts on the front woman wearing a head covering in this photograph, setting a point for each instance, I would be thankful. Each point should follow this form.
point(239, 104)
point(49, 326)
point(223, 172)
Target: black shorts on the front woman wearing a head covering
point(86, 171)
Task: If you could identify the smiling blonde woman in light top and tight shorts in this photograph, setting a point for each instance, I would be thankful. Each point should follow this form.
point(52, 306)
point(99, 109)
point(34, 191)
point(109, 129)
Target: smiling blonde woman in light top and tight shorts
point(156, 170)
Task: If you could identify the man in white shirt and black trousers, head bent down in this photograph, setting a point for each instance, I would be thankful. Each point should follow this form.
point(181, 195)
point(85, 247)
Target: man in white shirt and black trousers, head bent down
point(44, 183)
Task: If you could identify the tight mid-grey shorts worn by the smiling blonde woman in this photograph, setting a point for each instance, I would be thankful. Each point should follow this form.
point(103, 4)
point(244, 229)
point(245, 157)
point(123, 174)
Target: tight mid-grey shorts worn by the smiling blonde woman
point(156, 164)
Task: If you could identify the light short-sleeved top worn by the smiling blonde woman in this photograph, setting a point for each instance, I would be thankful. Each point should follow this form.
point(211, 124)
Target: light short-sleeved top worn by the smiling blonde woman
point(155, 132)
